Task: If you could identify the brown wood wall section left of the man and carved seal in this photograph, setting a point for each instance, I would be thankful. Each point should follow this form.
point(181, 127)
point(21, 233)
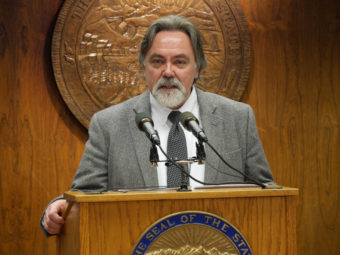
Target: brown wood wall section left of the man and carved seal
point(41, 142)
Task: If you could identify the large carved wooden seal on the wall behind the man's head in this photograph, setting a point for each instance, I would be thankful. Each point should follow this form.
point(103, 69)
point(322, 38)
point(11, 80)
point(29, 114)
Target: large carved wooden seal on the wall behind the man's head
point(96, 43)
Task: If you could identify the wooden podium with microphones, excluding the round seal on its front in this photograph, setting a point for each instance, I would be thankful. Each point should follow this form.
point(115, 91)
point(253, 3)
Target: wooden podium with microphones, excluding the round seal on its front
point(113, 222)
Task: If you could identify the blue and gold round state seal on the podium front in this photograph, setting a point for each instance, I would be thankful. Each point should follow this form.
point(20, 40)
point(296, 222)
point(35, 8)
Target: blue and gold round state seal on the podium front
point(192, 232)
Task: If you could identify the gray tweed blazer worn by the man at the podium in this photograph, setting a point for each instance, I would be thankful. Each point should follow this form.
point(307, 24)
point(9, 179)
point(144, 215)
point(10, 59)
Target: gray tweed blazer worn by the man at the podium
point(117, 153)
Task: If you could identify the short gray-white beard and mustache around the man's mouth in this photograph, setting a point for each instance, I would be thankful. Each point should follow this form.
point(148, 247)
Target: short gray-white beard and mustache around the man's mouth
point(172, 98)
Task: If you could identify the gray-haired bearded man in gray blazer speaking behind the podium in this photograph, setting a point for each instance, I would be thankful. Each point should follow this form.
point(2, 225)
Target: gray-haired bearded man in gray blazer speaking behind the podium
point(117, 154)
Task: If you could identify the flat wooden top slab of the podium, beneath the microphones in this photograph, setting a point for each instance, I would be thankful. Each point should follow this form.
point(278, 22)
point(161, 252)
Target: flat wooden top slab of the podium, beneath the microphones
point(202, 193)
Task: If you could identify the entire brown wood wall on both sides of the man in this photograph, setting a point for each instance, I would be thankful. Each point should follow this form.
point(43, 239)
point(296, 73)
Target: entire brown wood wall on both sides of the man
point(294, 89)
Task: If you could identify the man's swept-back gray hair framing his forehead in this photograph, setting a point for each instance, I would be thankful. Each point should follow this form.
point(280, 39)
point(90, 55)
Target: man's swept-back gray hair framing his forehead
point(174, 23)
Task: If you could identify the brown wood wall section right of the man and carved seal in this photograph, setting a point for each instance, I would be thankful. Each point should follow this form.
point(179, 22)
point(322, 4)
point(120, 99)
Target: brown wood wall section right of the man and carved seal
point(294, 90)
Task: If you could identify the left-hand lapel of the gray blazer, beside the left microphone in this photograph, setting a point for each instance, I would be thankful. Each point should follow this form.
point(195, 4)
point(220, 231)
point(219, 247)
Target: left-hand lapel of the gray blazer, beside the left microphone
point(142, 144)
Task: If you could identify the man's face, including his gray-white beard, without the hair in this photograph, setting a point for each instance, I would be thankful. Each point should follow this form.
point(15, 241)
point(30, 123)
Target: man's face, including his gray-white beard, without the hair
point(170, 68)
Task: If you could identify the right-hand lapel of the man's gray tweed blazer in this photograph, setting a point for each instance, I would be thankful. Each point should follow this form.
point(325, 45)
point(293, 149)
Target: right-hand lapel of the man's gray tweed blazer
point(213, 127)
